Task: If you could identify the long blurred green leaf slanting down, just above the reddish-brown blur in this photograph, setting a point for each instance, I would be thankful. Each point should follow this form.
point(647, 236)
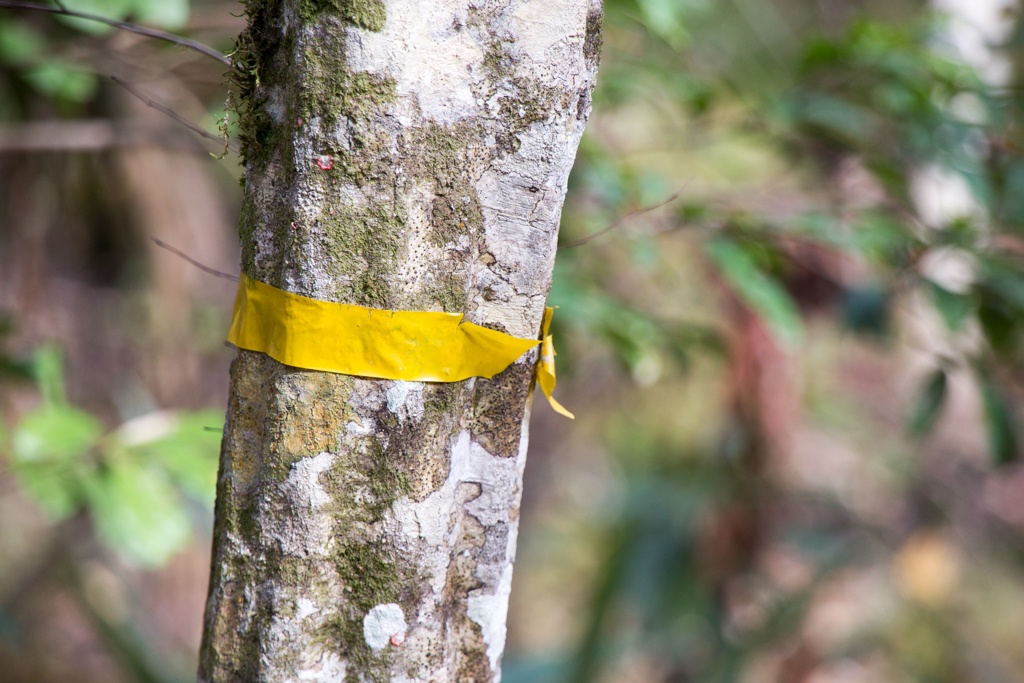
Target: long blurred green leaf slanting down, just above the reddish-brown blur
point(765, 295)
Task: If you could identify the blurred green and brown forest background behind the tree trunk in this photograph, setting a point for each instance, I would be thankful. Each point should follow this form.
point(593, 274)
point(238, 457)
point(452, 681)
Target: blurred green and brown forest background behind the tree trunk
point(791, 290)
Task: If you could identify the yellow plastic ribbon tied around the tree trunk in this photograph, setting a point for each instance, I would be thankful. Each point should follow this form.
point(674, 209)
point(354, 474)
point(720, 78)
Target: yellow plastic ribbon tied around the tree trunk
point(417, 347)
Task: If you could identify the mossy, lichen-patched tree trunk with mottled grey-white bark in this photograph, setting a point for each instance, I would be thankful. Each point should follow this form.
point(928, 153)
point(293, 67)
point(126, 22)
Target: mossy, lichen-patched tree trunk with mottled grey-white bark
point(405, 155)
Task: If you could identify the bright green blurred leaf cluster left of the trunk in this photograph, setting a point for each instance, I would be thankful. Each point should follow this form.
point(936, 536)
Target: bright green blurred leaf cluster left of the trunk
point(142, 485)
